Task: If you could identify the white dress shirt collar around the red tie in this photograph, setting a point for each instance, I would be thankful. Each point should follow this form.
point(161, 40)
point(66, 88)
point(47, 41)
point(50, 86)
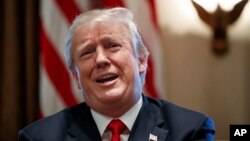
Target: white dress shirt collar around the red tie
point(128, 119)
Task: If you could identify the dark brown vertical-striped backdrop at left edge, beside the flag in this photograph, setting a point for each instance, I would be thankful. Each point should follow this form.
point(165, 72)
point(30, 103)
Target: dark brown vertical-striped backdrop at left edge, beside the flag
point(19, 65)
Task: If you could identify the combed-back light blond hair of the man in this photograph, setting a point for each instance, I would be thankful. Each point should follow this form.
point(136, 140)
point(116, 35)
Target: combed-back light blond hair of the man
point(117, 14)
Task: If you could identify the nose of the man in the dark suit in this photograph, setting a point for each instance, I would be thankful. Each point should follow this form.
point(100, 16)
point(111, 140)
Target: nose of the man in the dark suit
point(102, 60)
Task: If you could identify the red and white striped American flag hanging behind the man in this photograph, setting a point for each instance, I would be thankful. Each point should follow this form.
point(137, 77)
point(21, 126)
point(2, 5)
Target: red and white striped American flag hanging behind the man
point(57, 89)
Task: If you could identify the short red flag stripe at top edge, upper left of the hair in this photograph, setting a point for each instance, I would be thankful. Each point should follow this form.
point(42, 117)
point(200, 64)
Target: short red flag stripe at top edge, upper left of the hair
point(69, 9)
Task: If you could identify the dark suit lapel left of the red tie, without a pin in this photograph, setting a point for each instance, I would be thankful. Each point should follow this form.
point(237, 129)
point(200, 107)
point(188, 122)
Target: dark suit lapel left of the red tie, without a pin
point(83, 127)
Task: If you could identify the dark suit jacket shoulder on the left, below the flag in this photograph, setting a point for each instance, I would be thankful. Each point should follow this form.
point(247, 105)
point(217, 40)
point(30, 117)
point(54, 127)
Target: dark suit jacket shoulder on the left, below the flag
point(52, 126)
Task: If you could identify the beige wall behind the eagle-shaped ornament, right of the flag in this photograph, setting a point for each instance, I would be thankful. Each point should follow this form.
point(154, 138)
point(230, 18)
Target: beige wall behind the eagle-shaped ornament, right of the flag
point(195, 77)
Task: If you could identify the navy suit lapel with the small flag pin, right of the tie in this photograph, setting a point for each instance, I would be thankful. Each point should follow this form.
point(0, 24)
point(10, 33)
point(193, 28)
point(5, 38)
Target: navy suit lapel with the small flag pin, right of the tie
point(149, 121)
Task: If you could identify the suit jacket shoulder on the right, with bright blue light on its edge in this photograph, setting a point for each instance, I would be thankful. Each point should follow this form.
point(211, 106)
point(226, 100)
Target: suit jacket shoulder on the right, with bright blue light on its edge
point(182, 121)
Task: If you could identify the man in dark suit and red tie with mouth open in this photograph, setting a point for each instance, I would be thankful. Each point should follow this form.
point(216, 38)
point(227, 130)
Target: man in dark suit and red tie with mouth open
point(108, 61)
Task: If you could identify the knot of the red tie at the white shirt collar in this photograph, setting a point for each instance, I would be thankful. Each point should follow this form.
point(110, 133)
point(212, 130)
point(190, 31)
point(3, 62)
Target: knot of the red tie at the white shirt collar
point(116, 127)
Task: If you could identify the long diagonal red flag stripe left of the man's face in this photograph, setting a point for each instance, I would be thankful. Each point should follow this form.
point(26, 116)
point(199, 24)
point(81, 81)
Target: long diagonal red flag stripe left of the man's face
point(56, 70)
